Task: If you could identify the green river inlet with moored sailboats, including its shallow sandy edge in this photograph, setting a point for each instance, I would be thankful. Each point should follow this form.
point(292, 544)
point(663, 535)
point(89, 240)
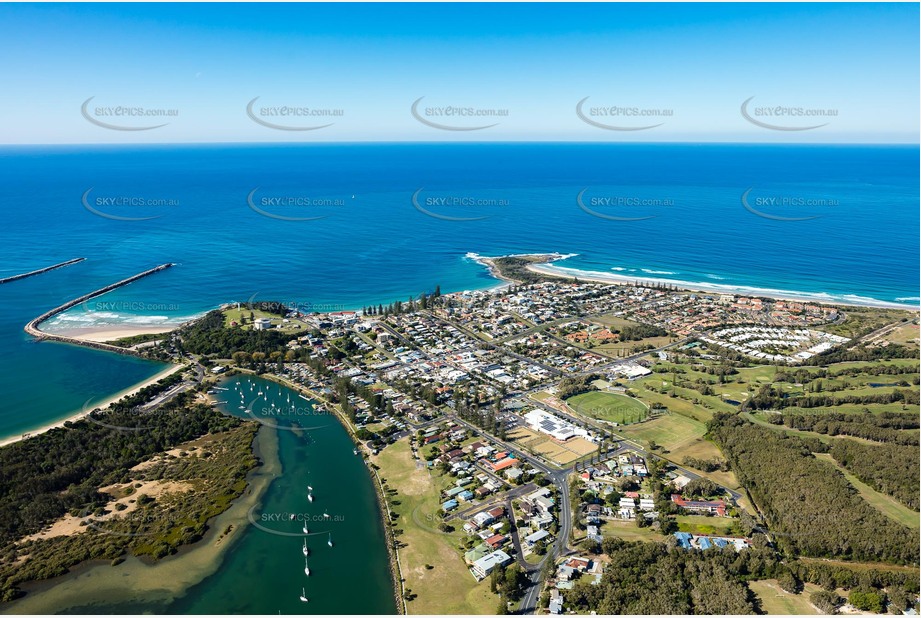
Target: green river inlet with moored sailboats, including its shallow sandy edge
point(259, 567)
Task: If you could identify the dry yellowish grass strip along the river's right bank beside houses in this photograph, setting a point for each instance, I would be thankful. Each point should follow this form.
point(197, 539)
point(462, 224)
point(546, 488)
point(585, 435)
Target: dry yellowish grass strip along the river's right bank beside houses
point(448, 588)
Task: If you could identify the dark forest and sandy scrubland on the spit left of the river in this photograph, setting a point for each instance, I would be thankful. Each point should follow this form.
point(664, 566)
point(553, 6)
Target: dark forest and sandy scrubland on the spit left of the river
point(93, 492)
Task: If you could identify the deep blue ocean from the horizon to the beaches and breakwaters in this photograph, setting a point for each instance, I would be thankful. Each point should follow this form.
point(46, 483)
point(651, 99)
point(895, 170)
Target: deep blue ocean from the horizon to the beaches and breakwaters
point(390, 220)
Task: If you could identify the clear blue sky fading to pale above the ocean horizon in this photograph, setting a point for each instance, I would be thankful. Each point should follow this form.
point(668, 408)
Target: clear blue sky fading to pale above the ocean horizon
point(810, 72)
